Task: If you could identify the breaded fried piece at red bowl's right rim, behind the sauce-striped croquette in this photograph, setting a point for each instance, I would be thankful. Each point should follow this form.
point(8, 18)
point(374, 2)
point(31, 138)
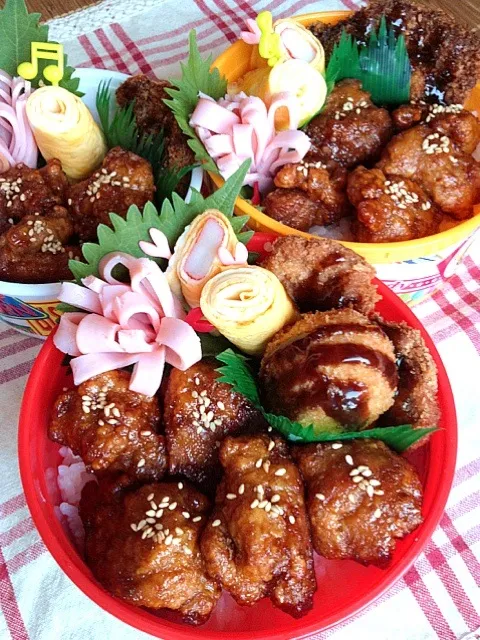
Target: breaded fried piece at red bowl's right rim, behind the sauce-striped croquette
point(416, 402)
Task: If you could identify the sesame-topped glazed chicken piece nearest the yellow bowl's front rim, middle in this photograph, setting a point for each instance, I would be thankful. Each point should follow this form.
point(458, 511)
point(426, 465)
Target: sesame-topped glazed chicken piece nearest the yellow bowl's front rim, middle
point(390, 209)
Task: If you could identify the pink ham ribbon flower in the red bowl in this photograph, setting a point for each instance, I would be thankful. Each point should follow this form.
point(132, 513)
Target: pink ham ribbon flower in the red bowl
point(141, 323)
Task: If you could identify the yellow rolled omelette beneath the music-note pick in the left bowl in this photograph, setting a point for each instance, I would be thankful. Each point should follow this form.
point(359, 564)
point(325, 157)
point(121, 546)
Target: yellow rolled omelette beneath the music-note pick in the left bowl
point(64, 128)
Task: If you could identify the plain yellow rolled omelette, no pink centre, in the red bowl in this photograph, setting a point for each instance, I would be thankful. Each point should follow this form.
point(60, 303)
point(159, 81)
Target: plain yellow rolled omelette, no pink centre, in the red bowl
point(247, 305)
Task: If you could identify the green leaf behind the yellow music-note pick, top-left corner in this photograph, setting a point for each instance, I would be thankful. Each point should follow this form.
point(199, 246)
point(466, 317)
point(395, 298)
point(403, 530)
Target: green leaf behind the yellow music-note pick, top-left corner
point(18, 29)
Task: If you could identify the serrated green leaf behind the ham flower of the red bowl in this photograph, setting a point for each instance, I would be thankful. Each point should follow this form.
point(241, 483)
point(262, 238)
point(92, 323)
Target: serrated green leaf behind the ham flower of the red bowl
point(172, 220)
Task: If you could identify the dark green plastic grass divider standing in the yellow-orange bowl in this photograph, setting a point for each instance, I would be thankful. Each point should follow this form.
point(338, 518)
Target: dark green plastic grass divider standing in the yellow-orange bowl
point(382, 66)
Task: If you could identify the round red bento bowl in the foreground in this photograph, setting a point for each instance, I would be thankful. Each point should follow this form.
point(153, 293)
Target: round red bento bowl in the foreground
point(344, 587)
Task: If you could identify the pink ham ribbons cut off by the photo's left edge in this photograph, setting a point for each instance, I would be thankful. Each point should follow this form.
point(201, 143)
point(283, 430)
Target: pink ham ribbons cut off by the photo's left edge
point(17, 143)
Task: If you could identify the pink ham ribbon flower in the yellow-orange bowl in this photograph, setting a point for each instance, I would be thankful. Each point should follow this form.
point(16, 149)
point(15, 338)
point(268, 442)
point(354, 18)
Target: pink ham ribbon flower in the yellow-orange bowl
point(241, 127)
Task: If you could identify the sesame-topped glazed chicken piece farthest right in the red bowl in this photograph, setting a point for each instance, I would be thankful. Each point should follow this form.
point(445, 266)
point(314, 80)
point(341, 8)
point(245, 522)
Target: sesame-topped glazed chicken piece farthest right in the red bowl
point(361, 515)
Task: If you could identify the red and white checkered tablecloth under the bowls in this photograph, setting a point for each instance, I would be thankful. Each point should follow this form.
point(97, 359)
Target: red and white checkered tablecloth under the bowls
point(440, 596)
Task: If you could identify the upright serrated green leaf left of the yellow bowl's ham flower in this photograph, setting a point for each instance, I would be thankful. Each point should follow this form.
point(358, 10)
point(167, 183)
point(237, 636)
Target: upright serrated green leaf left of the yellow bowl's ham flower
point(197, 76)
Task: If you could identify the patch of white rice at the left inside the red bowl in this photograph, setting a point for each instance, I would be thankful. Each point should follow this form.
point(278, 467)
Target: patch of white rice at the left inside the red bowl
point(72, 476)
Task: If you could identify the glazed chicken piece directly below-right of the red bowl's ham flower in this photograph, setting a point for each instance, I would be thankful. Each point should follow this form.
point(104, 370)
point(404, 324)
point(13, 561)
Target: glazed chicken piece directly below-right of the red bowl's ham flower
point(193, 437)
